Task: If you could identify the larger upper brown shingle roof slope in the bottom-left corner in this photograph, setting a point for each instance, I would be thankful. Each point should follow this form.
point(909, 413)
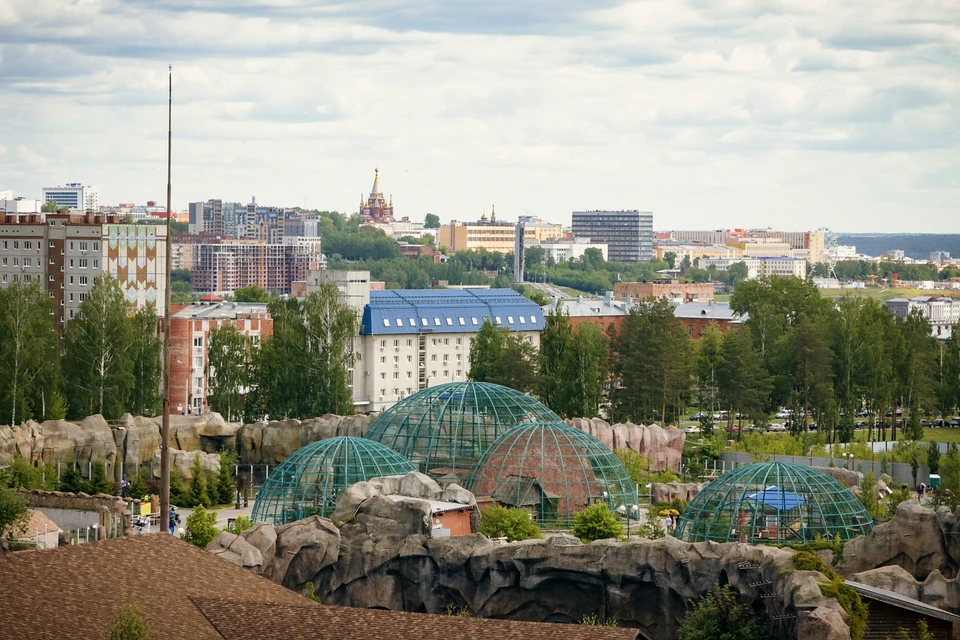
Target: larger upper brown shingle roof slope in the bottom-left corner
point(76, 591)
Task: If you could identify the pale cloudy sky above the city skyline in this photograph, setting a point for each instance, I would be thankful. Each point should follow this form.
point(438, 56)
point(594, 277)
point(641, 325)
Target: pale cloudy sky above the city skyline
point(793, 114)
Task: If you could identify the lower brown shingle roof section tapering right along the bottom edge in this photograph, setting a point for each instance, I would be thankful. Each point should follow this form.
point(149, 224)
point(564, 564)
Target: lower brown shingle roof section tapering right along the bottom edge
point(279, 621)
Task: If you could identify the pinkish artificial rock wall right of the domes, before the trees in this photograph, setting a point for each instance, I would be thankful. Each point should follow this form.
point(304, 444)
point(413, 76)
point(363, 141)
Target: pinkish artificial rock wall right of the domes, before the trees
point(664, 447)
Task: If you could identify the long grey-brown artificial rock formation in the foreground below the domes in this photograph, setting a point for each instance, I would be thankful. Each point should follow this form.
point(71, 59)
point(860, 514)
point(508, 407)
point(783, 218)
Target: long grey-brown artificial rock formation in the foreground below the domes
point(382, 555)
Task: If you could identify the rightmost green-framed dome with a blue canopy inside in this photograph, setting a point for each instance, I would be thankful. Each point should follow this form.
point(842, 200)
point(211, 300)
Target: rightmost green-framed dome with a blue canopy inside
point(773, 503)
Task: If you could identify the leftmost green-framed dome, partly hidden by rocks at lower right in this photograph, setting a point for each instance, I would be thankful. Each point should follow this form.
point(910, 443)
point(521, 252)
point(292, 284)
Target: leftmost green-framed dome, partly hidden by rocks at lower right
point(309, 481)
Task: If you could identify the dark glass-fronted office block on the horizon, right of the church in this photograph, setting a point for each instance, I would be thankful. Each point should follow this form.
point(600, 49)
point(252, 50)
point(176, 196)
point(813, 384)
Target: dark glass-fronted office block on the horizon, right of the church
point(627, 234)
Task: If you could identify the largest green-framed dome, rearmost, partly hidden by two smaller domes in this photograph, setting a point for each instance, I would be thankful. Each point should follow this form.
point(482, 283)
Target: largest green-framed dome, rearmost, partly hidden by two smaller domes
point(444, 430)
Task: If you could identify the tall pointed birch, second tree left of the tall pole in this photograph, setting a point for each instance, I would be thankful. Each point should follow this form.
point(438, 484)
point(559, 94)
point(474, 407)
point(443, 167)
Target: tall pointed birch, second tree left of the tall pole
point(97, 363)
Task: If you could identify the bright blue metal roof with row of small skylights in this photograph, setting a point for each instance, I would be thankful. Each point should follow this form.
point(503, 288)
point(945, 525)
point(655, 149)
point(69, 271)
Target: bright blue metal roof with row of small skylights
point(448, 311)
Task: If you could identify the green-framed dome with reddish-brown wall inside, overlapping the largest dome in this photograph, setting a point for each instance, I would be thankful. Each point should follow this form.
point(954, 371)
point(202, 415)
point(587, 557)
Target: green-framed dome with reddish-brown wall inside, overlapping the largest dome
point(554, 471)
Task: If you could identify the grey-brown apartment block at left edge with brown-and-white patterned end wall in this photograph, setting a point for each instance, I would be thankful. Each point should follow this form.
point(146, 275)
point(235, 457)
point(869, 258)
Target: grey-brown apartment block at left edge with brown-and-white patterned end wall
point(66, 252)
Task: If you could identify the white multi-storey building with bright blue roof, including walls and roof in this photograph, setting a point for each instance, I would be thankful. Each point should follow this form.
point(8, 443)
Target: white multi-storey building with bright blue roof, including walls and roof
point(412, 339)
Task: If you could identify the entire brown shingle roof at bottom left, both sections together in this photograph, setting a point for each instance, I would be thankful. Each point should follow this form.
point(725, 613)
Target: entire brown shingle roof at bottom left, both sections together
point(184, 592)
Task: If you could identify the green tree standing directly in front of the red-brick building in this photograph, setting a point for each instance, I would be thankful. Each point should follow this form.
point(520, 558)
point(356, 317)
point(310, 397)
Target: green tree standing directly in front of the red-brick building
point(228, 370)
